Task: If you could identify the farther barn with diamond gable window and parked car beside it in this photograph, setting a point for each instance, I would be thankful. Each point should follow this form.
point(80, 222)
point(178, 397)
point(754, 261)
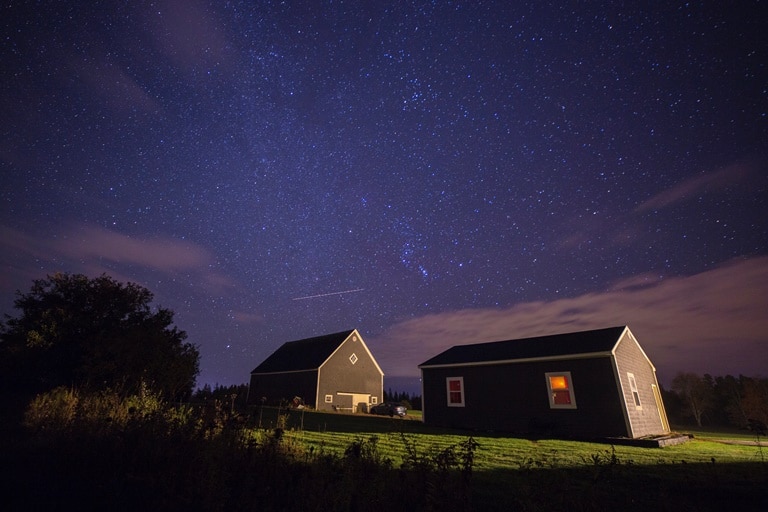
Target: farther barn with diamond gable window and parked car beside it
point(330, 372)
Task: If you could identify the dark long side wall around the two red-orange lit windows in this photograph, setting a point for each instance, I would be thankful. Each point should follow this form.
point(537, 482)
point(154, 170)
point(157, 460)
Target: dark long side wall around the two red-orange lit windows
point(513, 397)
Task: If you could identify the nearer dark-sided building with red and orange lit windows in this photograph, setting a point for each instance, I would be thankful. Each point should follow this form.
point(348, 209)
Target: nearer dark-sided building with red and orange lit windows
point(588, 384)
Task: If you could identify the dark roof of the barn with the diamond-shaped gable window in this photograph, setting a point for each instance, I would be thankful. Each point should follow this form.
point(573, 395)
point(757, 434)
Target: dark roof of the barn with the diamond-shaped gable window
point(306, 354)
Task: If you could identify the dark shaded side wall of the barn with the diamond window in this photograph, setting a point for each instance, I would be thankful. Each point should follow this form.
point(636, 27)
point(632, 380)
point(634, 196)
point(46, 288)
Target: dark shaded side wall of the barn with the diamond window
point(279, 388)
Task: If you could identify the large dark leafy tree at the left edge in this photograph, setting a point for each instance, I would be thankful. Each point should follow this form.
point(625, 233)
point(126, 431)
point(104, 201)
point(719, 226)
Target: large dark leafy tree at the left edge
point(94, 334)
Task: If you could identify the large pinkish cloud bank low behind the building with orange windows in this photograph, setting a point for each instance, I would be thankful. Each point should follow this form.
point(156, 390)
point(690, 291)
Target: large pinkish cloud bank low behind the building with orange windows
point(710, 322)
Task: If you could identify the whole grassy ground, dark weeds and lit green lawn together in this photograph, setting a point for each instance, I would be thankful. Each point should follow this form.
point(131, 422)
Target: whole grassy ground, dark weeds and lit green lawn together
point(136, 452)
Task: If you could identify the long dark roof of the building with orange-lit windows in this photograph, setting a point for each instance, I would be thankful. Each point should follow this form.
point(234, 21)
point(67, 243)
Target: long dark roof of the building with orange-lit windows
point(556, 346)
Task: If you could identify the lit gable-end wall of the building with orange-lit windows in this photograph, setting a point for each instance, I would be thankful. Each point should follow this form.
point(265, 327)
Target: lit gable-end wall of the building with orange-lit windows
point(630, 358)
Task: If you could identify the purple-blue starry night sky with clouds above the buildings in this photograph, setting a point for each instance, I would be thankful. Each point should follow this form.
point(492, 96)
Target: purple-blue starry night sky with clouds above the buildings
point(430, 173)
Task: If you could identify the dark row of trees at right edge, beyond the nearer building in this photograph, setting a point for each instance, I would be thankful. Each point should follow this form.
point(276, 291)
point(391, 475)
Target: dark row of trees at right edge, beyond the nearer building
point(727, 401)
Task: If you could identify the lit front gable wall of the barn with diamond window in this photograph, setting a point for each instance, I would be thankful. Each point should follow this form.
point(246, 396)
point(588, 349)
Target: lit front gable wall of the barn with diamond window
point(339, 375)
